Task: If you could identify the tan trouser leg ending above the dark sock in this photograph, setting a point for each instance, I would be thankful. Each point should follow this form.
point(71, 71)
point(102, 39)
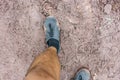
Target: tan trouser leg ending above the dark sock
point(46, 66)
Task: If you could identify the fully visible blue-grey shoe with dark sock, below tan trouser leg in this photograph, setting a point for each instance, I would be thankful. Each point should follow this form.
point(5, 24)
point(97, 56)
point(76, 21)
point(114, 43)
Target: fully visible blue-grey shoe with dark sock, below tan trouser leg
point(52, 32)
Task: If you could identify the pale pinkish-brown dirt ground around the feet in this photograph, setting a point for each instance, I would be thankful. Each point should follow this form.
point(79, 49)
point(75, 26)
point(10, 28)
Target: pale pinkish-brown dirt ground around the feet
point(90, 36)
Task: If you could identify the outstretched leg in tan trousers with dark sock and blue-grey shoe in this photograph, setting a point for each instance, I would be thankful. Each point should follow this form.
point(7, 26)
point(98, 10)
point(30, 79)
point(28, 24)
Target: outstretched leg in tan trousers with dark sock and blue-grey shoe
point(46, 65)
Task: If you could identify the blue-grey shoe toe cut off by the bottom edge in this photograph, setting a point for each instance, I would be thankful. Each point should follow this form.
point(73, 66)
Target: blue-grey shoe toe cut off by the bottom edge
point(82, 74)
